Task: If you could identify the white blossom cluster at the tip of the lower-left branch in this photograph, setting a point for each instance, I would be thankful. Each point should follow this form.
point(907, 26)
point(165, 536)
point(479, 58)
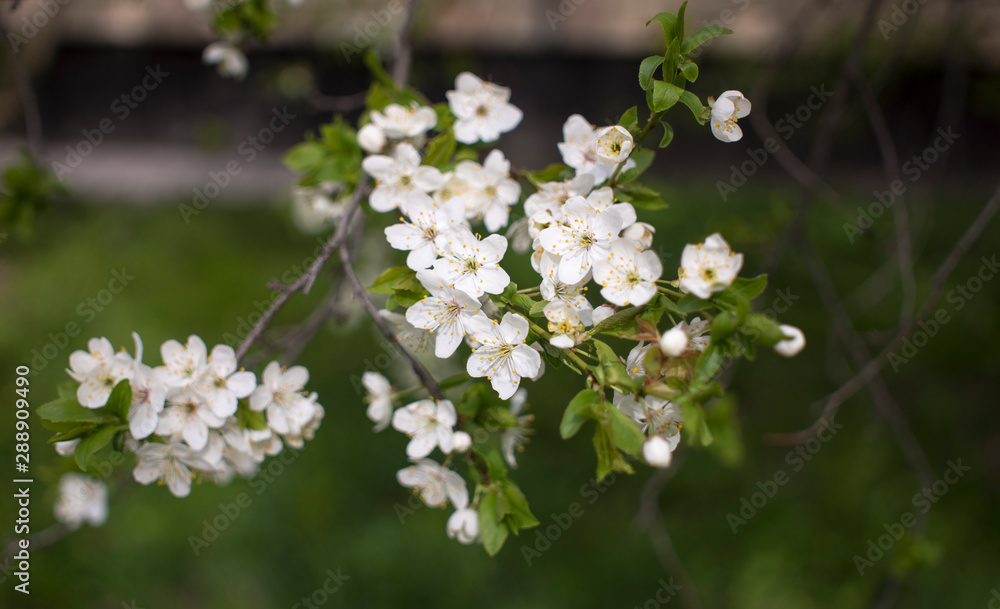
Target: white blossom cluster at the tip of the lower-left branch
point(196, 414)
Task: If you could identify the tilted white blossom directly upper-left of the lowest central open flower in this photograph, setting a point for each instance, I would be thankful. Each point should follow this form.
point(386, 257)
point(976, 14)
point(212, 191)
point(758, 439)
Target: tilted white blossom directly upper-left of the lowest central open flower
point(447, 312)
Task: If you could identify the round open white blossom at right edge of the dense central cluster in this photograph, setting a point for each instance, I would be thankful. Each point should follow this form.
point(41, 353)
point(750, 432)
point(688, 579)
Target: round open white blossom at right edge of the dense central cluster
point(628, 275)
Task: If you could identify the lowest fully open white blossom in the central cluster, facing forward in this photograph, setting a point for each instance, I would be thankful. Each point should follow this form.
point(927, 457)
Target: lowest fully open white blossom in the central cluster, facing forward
point(503, 357)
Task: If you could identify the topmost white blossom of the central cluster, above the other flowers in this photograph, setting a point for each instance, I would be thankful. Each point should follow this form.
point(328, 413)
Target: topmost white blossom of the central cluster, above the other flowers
point(481, 109)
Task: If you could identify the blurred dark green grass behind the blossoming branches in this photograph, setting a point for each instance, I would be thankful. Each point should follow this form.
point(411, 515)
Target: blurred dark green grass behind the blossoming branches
point(337, 504)
